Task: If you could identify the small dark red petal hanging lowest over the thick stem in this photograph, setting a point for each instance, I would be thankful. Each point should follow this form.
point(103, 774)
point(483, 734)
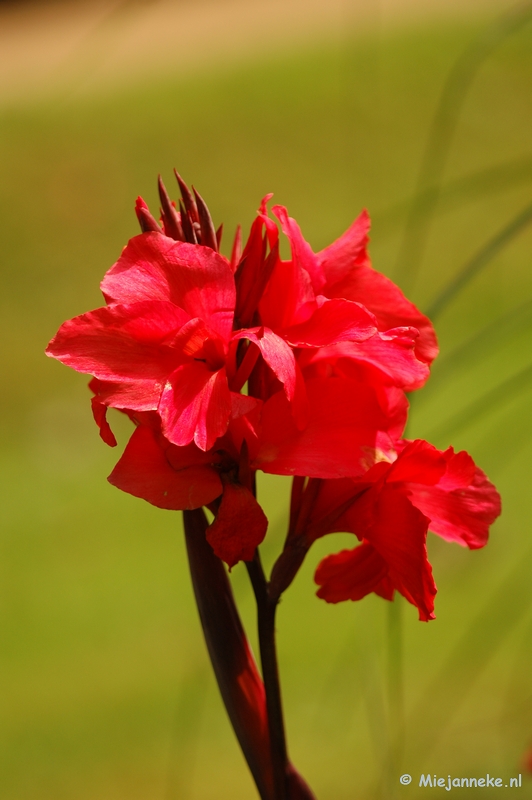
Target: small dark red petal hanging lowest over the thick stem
point(239, 527)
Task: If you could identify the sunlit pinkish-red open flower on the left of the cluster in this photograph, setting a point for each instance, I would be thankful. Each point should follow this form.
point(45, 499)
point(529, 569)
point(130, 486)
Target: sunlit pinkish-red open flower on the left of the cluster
point(162, 342)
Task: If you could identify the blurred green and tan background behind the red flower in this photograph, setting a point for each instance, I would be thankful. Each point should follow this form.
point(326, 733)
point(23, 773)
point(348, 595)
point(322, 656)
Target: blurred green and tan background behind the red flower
point(107, 691)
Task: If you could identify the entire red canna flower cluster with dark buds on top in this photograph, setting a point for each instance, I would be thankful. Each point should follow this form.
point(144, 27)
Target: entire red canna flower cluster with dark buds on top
point(300, 368)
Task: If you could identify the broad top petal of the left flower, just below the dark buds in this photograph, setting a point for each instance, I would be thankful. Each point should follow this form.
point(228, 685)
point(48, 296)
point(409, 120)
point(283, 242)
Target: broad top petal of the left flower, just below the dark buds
point(193, 277)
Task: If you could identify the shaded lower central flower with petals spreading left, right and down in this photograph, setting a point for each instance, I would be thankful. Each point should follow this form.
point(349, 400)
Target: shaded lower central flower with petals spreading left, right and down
point(345, 422)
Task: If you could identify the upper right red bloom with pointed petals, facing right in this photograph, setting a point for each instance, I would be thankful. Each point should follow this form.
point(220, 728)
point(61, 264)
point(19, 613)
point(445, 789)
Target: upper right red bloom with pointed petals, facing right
point(398, 348)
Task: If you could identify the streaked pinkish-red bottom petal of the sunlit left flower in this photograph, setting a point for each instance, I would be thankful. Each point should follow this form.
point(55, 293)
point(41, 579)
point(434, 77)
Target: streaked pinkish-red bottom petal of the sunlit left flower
point(195, 405)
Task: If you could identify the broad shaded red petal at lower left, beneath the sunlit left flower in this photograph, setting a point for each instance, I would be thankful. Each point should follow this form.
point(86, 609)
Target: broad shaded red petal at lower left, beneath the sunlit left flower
point(175, 478)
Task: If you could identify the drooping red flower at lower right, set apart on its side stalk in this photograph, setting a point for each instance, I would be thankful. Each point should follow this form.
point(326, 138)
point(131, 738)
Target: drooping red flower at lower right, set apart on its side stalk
point(390, 509)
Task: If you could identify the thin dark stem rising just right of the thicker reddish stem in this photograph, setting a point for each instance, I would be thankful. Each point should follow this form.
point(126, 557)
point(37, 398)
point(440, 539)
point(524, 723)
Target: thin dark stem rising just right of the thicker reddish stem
point(266, 610)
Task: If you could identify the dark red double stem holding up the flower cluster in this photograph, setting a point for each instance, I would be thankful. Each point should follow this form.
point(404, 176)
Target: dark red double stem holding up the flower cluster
point(243, 692)
